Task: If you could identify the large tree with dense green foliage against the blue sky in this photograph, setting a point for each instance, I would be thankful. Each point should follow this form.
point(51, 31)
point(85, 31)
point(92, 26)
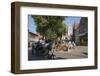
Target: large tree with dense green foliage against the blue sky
point(50, 27)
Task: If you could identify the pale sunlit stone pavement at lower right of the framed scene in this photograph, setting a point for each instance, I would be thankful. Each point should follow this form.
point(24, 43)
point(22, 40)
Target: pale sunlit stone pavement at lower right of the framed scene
point(77, 52)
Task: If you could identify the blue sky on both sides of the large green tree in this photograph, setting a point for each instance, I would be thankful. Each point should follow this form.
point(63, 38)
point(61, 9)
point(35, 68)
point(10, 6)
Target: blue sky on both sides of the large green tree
point(70, 20)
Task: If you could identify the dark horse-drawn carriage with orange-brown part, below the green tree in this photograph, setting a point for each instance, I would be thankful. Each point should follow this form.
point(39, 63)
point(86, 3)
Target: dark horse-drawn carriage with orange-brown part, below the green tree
point(47, 49)
